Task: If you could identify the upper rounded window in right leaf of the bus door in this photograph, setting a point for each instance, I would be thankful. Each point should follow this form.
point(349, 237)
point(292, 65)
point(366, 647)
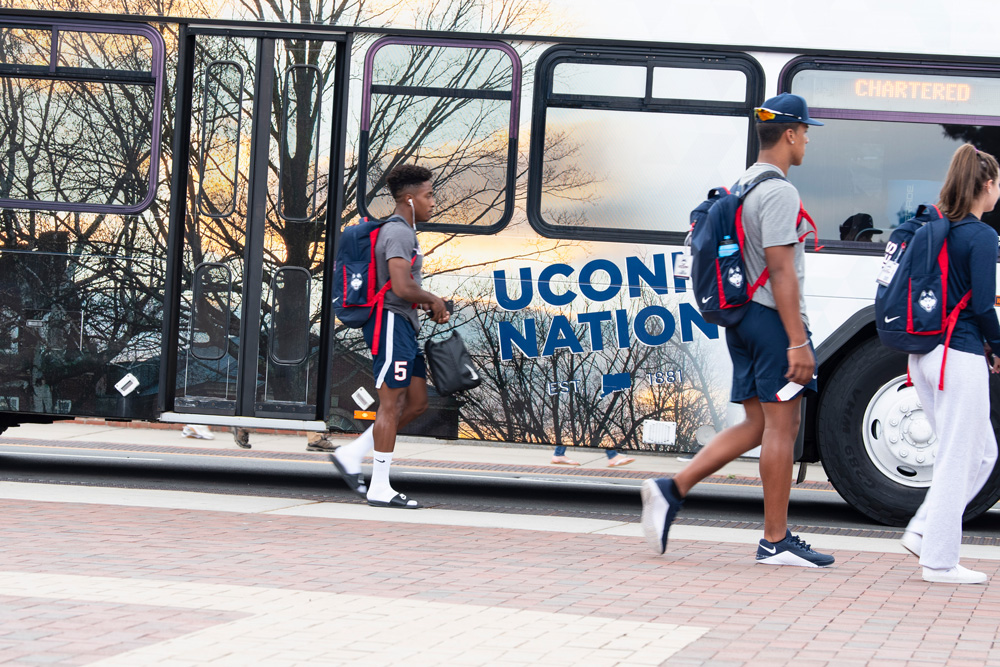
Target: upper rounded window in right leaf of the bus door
point(299, 195)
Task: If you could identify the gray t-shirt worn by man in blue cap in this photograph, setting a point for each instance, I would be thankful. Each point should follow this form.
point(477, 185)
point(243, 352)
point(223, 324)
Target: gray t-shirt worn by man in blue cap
point(770, 212)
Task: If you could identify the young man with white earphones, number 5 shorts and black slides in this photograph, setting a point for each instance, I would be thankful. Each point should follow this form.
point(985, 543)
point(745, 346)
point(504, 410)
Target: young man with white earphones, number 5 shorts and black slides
point(399, 368)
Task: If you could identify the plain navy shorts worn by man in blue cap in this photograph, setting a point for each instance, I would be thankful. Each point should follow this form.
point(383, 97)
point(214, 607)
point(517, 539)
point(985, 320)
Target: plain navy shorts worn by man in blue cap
point(758, 346)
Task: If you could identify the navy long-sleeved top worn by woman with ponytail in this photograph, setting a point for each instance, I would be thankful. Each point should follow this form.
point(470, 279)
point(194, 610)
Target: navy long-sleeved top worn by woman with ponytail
point(972, 264)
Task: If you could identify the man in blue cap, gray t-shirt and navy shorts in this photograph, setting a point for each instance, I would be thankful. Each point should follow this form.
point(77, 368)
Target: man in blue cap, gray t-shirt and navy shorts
point(773, 360)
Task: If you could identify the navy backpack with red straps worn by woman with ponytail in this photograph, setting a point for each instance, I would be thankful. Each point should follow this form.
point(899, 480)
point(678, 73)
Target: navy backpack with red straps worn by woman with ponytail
point(912, 312)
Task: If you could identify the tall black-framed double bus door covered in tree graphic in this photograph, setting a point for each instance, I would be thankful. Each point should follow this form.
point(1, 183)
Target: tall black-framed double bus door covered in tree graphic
point(257, 184)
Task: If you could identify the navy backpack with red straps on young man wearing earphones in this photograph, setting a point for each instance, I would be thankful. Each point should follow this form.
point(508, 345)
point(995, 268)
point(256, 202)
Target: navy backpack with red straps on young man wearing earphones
point(355, 294)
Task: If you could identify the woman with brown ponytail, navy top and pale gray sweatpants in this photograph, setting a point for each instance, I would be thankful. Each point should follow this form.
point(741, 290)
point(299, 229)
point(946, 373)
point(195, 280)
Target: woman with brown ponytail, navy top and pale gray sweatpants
point(960, 412)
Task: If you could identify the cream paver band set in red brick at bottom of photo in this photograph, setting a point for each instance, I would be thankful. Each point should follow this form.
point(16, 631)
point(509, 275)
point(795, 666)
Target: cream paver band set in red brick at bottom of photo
point(306, 626)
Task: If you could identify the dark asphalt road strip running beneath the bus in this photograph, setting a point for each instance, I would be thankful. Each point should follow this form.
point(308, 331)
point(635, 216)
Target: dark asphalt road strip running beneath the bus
point(449, 489)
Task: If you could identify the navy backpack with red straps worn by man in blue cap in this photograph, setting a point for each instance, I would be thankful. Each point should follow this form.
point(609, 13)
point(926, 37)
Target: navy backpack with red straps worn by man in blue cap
point(718, 271)
